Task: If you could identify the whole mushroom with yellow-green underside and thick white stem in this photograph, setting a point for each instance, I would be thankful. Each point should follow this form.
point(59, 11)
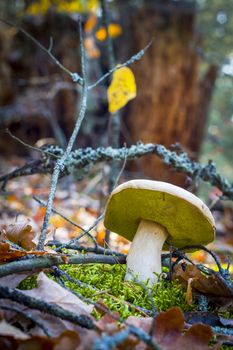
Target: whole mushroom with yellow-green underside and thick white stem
point(154, 215)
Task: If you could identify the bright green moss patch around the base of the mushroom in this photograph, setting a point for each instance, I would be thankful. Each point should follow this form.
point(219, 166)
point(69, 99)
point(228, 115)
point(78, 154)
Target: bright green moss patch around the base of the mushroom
point(106, 282)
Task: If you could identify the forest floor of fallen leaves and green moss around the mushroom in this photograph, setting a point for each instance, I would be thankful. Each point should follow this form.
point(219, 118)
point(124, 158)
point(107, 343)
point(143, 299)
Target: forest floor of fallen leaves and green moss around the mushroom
point(121, 313)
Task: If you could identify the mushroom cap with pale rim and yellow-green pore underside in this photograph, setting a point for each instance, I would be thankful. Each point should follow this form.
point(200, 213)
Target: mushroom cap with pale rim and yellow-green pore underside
point(187, 219)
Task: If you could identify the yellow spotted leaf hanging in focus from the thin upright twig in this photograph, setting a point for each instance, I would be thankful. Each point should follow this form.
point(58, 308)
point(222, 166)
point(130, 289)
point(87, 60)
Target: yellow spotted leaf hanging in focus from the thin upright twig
point(122, 89)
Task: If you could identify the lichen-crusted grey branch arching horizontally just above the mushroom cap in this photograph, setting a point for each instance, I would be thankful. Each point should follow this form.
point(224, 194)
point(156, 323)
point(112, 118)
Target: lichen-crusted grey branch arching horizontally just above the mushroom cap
point(85, 158)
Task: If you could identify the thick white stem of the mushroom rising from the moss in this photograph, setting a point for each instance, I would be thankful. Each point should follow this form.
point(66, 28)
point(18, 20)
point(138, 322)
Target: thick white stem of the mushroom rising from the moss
point(144, 257)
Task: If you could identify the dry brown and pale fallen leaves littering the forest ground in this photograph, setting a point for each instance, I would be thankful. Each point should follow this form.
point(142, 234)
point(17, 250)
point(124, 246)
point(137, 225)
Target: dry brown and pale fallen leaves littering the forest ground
point(169, 330)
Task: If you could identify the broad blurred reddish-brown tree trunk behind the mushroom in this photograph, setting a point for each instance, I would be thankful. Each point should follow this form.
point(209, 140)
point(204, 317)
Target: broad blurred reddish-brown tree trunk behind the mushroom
point(172, 101)
